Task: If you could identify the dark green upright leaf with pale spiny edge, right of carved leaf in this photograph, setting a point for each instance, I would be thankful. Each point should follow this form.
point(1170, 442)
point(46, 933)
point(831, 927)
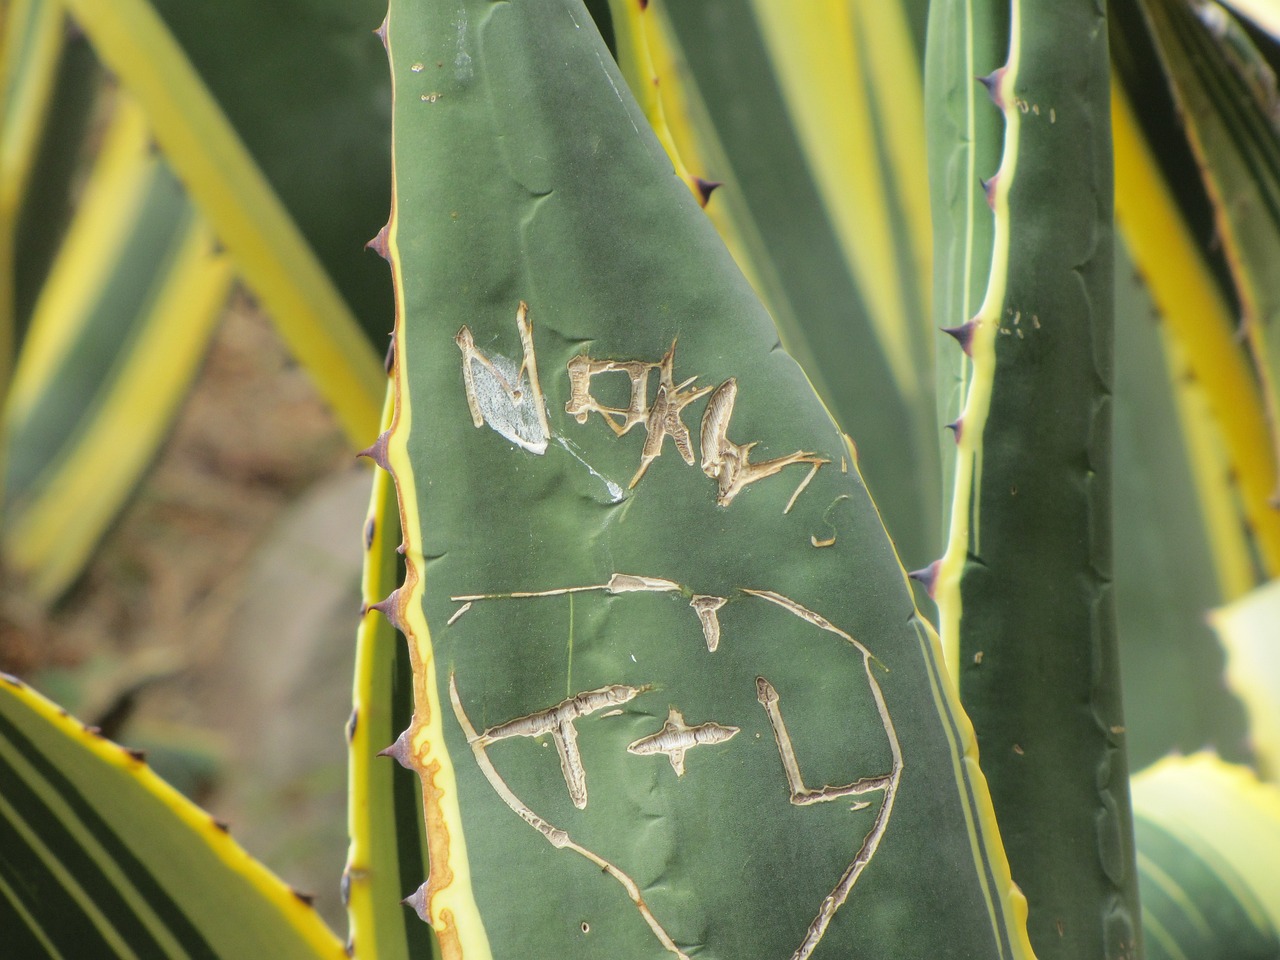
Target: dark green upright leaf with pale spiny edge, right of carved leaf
point(1025, 588)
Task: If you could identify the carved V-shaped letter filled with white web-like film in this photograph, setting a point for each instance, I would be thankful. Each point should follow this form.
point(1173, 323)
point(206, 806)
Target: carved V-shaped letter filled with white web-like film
point(500, 394)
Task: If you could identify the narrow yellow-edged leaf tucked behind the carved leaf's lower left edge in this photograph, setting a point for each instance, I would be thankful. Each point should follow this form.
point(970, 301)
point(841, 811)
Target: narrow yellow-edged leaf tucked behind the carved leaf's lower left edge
point(388, 851)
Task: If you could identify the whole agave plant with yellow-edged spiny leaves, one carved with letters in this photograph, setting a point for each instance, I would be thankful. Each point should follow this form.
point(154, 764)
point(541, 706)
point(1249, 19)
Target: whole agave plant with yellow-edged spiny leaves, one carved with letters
point(665, 687)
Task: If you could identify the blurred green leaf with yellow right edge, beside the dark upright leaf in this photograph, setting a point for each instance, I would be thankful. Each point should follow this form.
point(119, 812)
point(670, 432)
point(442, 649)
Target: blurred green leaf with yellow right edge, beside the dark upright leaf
point(1181, 546)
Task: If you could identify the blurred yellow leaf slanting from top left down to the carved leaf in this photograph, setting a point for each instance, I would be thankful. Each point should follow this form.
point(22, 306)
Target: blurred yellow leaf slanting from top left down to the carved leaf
point(244, 211)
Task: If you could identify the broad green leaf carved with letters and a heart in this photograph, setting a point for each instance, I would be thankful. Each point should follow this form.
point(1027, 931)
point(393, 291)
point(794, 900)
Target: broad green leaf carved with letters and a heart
point(671, 698)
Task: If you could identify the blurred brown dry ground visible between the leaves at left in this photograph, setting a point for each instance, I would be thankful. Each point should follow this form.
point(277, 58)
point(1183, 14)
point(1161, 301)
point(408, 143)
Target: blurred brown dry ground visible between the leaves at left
point(220, 612)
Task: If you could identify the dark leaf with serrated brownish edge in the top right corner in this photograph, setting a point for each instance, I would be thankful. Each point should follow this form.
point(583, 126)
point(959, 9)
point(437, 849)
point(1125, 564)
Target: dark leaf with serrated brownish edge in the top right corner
point(1229, 107)
